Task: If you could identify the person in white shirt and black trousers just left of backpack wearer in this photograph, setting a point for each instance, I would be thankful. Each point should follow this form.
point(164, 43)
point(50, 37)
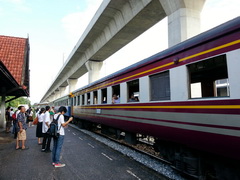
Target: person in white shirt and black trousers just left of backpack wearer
point(46, 138)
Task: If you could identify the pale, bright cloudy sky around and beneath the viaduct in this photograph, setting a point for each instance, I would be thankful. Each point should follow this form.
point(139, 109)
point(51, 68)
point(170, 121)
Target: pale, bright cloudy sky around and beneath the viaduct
point(55, 26)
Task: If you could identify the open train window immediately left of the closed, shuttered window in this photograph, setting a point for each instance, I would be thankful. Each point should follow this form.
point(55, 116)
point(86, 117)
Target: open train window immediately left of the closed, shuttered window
point(133, 91)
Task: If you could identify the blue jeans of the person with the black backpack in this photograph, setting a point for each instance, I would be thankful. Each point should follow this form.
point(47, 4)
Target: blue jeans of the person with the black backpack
point(57, 147)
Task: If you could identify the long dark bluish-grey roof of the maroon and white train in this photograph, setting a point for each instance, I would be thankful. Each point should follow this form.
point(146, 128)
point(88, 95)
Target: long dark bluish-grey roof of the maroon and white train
point(214, 33)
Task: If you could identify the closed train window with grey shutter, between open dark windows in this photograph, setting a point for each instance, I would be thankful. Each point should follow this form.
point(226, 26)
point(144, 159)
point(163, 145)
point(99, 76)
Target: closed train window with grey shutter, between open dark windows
point(160, 86)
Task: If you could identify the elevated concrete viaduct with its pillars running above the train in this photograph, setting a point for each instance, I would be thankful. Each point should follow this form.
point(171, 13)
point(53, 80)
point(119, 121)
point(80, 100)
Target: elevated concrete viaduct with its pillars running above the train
point(115, 24)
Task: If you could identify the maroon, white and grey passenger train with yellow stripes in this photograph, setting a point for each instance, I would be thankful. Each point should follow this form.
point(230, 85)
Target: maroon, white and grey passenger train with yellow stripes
point(187, 97)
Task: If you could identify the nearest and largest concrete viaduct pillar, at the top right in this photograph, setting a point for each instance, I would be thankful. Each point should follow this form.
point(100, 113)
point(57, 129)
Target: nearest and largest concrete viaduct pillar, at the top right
point(183, 19)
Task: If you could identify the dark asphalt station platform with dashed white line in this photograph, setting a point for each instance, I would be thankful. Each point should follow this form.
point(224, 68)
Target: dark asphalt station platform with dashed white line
point(85, 159)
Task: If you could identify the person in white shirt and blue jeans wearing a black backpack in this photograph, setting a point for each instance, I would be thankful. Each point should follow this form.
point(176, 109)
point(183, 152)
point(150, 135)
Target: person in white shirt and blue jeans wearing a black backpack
point(58, 142)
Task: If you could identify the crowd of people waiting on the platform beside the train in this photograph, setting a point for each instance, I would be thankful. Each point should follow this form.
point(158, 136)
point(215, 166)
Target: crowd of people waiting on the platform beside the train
point(21, 119)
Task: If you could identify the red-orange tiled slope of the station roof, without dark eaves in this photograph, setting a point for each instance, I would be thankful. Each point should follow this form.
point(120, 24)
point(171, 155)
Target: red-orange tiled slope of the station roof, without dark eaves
point(12, 54)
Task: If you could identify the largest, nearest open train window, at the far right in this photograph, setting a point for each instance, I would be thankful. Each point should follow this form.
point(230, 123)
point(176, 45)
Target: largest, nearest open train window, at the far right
point(209, 78)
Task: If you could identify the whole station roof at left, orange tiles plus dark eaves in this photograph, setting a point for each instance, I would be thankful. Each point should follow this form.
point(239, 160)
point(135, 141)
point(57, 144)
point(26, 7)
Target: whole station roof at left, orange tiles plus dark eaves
point(14, 66)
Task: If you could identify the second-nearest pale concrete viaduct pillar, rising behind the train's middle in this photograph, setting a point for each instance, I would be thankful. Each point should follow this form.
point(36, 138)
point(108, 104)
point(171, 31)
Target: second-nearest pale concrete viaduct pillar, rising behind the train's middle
point(93, 68)
